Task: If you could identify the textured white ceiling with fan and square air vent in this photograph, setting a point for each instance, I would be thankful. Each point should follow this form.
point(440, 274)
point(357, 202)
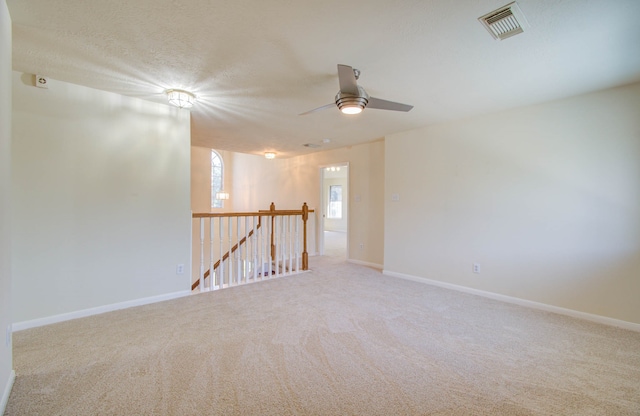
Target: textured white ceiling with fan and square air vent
point(256, 64)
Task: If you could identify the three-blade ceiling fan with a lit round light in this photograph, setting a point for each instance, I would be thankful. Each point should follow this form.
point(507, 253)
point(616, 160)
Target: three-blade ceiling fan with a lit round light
point(352, 99)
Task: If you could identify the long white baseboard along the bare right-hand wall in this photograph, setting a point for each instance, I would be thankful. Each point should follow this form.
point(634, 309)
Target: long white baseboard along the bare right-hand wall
point(522, 302)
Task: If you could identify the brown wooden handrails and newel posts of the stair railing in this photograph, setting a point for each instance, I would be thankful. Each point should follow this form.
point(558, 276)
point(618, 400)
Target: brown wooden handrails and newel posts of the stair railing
point(272, 212)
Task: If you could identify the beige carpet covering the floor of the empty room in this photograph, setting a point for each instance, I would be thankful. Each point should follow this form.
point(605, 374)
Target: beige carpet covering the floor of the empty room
point(340, 340)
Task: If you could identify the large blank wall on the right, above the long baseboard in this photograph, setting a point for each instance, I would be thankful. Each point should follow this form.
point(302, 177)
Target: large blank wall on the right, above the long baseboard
point(546, 198)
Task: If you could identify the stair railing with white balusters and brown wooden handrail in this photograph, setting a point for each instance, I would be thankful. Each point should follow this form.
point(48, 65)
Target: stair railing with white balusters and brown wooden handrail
point(263, 249)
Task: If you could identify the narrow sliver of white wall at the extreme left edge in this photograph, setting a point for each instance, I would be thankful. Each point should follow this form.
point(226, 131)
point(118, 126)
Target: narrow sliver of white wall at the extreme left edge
point(5, 203)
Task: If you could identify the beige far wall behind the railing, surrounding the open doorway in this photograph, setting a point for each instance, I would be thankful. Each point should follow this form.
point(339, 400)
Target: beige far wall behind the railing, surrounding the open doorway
point(256, 182)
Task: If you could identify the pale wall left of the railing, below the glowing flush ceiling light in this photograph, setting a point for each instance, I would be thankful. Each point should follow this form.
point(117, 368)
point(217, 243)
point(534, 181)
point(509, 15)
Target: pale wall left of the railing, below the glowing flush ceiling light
point(101, 187)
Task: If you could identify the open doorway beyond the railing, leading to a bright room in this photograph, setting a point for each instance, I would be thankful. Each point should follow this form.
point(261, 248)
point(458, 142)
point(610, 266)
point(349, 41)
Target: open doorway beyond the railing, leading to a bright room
point(334, 224)
